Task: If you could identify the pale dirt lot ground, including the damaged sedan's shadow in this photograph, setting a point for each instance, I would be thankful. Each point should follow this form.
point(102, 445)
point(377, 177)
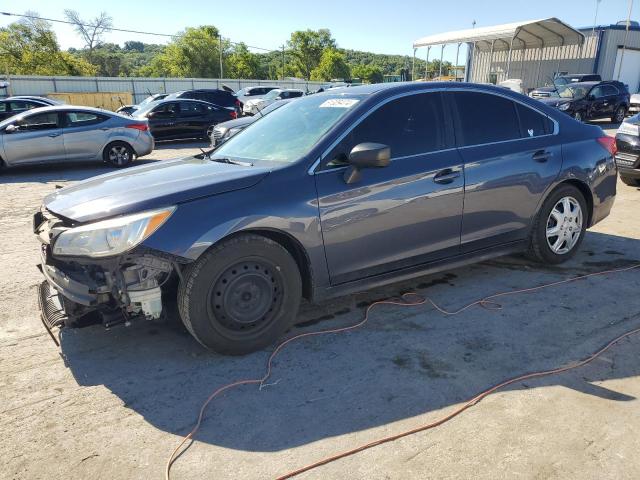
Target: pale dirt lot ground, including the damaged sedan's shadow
point(114, 403)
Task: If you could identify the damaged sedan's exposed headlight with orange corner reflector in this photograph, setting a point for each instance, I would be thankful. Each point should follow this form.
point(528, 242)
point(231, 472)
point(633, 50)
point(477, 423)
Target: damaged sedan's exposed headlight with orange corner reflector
point(110, 237)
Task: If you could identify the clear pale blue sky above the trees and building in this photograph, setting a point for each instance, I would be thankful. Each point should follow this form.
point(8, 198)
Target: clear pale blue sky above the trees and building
point(380, 26)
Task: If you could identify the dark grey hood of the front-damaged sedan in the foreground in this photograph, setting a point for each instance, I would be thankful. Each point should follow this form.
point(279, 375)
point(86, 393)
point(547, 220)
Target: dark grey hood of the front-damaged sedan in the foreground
point(150, 186)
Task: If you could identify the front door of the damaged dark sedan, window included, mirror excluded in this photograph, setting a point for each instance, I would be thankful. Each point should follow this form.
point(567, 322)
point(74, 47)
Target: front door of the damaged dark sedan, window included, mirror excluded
point(401, 215)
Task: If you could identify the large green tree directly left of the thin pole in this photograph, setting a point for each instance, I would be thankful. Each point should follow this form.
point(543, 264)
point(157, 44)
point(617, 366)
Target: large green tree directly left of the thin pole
point(194, 53)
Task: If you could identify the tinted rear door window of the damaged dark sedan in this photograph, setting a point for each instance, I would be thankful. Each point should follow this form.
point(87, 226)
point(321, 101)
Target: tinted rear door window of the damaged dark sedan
point(472, 109)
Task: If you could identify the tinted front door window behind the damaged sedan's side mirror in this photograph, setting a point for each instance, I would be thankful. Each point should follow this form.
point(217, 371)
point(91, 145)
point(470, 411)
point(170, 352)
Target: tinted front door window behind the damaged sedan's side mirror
point(409, 126)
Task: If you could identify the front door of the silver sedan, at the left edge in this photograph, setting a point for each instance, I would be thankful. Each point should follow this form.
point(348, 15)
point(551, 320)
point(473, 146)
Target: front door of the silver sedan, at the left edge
point(38, 139)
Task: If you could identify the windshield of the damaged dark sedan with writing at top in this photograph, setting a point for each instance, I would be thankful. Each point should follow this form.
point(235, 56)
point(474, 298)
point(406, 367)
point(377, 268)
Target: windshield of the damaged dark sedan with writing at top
point(288, 134)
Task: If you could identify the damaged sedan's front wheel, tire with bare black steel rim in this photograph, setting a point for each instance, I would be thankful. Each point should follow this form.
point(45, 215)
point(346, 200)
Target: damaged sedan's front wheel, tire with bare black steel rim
point(241, 295)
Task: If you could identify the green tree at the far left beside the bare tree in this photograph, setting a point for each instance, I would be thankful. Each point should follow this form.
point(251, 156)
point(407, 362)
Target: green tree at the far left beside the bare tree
point(30, 47)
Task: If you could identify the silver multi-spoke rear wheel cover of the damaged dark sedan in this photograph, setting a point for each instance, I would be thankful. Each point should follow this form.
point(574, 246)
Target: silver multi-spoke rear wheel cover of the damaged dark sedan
point(564, 225)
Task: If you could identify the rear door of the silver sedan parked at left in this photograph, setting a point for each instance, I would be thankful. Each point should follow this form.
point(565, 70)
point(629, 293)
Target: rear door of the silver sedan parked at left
point(85, 134)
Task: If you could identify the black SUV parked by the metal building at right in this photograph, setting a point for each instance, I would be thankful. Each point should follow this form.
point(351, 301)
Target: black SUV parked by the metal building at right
point(592, 100)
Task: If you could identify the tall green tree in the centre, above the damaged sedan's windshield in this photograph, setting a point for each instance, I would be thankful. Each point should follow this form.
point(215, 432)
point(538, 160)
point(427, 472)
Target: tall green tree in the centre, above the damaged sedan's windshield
point(306, 49)
